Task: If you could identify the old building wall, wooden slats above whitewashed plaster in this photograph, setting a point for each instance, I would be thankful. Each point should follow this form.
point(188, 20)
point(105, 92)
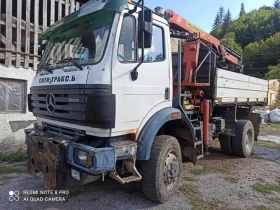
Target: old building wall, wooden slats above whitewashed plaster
point(21, 24)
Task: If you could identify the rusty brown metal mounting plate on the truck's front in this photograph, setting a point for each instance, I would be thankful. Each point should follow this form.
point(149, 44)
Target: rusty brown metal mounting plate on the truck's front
point(46, 155)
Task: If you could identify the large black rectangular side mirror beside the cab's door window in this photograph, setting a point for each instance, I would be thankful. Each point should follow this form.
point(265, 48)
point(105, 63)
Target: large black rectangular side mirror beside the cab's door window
point(145, 26)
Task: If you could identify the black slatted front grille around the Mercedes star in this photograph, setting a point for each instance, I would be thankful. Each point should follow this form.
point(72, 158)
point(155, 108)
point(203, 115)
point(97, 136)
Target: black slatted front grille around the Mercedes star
point(70, 100)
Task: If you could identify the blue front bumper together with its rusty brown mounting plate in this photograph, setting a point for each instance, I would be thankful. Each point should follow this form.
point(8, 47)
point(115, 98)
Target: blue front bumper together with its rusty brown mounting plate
point(54, 157)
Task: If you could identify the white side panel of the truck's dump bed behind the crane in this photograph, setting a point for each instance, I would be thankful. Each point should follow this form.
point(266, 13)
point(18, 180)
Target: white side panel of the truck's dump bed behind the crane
point(237, 88)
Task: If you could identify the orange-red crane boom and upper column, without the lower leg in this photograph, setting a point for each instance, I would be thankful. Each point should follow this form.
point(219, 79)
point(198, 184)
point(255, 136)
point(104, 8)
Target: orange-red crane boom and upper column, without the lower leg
point(179, 25)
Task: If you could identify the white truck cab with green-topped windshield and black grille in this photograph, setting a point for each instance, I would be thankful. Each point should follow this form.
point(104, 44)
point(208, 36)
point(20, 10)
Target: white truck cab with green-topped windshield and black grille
point(98, 95)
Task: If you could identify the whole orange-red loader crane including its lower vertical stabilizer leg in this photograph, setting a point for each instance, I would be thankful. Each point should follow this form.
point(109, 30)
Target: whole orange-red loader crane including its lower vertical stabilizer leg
point(197, 40)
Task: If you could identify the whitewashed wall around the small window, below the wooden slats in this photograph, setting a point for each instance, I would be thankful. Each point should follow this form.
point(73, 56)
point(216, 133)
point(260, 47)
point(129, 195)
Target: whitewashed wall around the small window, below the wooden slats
point(12, 125)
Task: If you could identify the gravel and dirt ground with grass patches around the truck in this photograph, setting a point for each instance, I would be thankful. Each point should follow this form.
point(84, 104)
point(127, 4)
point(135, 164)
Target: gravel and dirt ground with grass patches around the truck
point(218, 182)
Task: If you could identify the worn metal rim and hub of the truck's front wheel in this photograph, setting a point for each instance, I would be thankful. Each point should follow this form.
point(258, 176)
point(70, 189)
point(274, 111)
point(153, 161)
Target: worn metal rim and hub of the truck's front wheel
point(171, 170)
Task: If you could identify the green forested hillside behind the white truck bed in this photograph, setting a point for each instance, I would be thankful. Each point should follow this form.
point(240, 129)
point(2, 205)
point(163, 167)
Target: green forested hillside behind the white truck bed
point(256, 35)
